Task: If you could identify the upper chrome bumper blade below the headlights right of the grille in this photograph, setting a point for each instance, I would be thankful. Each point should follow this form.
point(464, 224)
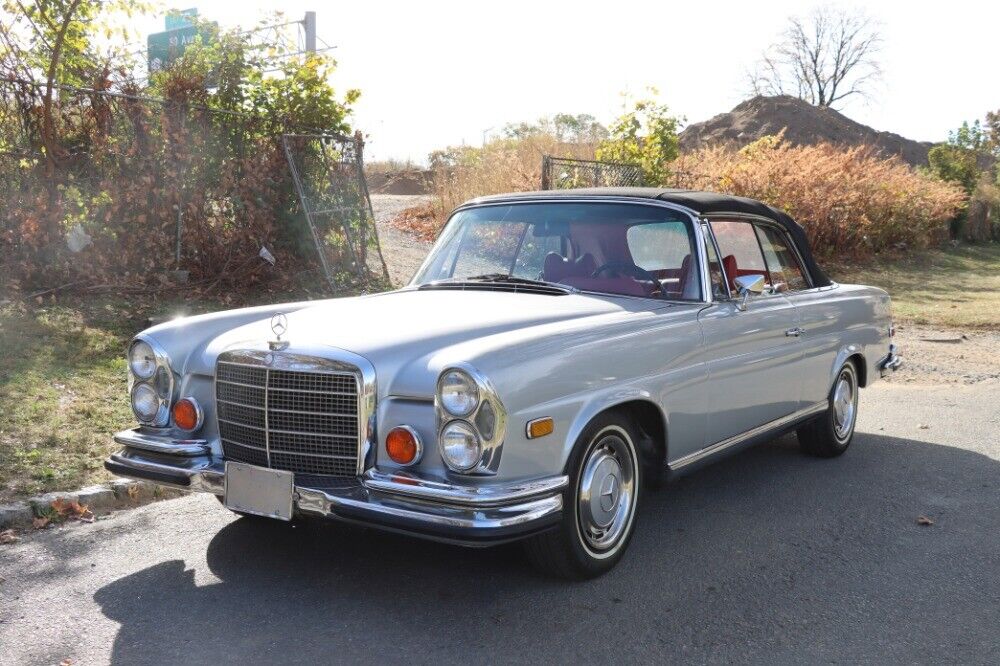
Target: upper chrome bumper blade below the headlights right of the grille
point(446, 493)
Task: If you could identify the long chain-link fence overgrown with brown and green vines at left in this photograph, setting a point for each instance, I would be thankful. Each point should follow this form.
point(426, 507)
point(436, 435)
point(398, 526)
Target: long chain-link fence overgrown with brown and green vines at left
point(137, 190)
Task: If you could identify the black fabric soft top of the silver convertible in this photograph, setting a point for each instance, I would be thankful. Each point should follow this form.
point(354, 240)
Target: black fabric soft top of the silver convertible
point(703, 203)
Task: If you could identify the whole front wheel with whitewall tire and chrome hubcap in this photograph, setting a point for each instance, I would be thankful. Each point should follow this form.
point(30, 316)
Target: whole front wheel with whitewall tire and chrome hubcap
point(599, 503)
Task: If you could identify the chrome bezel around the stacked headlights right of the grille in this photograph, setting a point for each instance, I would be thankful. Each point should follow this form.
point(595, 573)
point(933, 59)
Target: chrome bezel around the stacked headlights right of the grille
point(487, 420)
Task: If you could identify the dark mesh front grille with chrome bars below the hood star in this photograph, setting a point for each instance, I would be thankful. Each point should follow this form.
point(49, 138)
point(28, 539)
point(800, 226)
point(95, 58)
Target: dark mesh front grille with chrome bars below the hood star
point(297, 419)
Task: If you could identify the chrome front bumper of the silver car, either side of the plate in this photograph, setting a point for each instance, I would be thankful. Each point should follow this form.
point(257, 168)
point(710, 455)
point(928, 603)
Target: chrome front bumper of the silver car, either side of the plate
point(468, 515)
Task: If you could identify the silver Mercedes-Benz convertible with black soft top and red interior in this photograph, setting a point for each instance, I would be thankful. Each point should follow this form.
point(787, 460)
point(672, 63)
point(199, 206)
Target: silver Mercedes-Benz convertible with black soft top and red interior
point(556, 353)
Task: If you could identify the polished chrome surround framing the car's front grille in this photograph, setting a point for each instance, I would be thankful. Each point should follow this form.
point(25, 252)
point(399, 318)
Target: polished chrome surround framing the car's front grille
point(337, 361)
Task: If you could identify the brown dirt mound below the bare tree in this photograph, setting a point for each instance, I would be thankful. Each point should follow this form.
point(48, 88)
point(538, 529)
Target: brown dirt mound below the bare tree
point(804, 124)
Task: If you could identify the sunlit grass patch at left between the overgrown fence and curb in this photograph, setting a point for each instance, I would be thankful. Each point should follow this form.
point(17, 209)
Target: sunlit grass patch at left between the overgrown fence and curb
point(62, 391)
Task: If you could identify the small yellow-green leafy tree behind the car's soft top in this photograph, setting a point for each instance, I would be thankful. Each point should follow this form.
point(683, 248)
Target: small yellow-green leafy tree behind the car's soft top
point(646, 135)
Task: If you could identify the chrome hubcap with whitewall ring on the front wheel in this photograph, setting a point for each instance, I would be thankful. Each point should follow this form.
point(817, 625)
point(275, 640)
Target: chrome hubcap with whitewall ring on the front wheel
point(607, 488)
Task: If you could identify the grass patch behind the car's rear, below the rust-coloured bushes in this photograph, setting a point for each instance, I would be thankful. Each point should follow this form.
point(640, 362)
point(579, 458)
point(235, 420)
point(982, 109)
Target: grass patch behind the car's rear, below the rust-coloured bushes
point(957, 287)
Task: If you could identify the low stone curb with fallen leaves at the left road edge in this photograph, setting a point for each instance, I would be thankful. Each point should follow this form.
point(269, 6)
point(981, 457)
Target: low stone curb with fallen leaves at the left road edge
point(102, 498)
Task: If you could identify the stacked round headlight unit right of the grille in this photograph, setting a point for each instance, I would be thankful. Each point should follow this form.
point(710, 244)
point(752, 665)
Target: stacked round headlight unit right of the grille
point(470, 419)
